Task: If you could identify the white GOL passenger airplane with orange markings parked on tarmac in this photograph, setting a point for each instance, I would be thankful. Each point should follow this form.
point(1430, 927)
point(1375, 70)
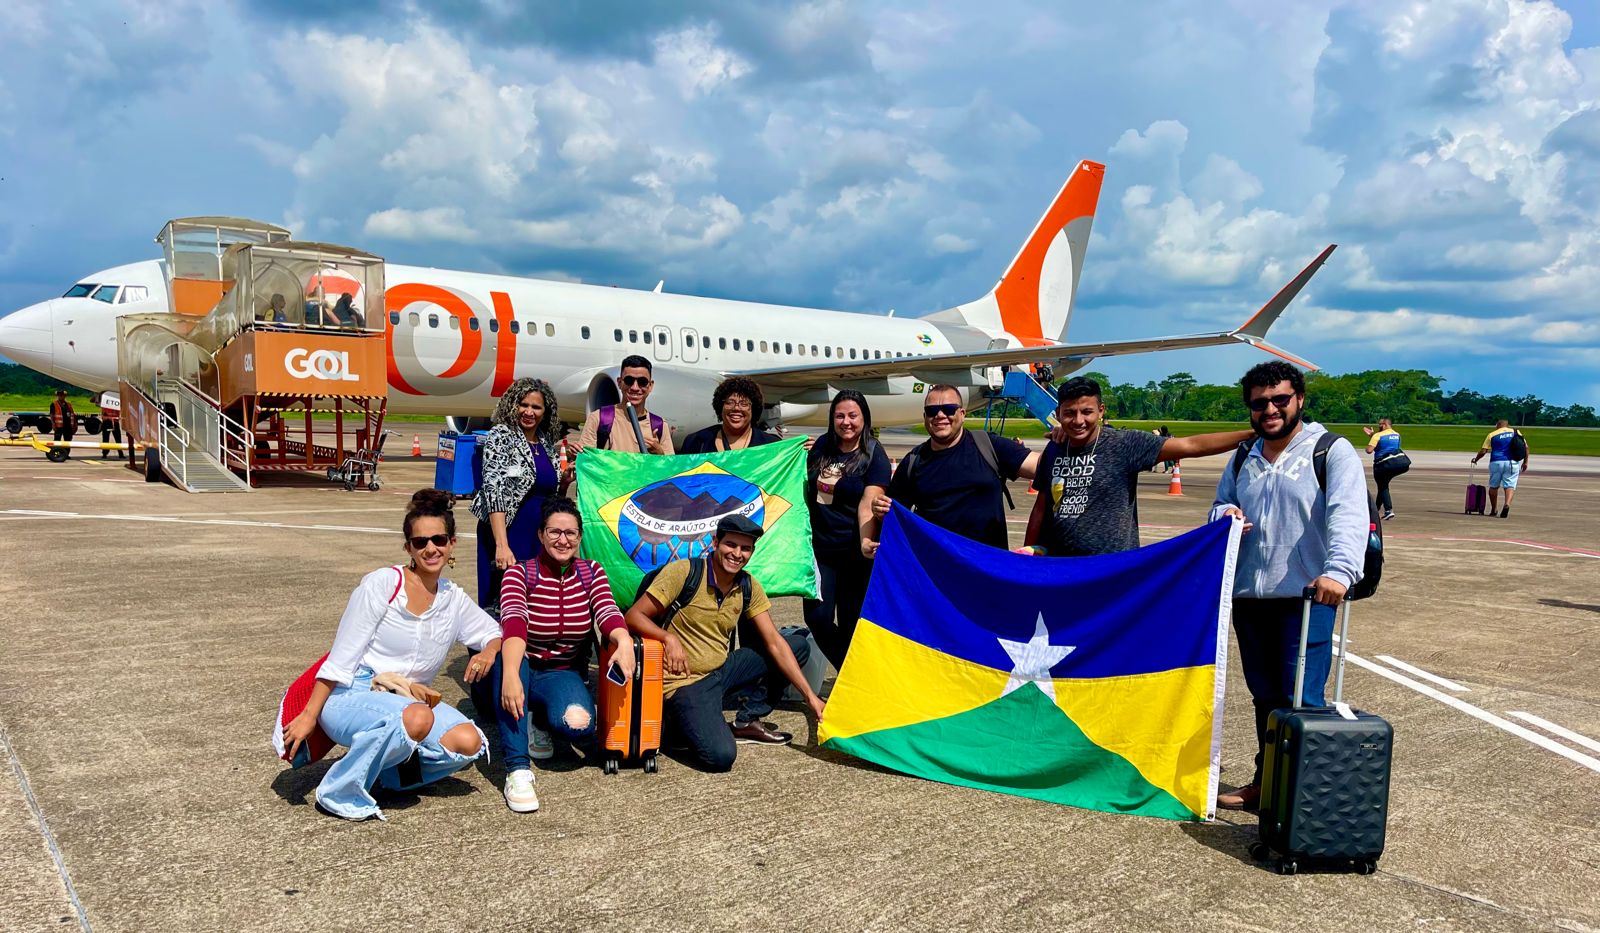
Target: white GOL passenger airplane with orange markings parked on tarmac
point(455, 340)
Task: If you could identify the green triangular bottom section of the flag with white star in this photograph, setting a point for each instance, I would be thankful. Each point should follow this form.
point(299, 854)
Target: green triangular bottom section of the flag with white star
point(990, 748)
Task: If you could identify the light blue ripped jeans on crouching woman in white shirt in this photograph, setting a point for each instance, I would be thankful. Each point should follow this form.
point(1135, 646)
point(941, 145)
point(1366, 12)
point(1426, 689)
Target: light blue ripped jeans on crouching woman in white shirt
point(370, 726)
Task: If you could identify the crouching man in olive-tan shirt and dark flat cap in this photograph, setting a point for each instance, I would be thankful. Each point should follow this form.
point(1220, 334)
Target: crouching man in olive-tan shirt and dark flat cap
point(702, 673)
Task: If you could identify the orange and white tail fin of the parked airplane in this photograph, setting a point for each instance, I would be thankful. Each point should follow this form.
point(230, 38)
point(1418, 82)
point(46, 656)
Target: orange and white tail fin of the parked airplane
point(1033, 302)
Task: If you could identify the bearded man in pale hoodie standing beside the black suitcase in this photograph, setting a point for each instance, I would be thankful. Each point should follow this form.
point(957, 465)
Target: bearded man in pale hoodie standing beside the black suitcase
point(1305, 527)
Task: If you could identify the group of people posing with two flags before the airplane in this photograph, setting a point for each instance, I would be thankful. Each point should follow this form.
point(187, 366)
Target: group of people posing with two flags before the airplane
point(1303, 527)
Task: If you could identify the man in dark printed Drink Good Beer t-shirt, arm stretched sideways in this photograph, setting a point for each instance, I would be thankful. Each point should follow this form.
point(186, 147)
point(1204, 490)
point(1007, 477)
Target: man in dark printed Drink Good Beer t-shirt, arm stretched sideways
point(1089, 476)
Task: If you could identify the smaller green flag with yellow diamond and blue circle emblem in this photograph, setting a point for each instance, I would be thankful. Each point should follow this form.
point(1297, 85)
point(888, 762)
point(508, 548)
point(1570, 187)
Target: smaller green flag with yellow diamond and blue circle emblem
point(644, 511)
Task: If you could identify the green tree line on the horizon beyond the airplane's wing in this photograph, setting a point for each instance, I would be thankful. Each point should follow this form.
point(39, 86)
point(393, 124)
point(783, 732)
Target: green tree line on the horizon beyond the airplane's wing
point(1404, 396)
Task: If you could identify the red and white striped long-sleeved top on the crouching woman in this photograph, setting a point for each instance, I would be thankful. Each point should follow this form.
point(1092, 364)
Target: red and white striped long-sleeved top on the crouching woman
point(554, 619)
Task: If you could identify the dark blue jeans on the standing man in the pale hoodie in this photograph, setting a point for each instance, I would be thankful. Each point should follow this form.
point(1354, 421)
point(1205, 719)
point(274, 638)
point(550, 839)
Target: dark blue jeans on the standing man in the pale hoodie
point(1268, 633)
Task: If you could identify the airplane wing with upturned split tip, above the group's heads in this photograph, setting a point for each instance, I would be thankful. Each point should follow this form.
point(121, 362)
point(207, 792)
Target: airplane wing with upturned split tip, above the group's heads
point(873, 377)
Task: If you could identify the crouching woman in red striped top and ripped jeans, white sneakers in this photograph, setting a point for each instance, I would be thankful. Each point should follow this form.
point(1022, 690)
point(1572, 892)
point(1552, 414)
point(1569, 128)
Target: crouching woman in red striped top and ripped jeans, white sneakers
point(551, 609)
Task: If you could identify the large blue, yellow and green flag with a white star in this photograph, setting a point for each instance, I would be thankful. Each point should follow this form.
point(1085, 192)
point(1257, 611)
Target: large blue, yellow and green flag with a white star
point(1094, 683)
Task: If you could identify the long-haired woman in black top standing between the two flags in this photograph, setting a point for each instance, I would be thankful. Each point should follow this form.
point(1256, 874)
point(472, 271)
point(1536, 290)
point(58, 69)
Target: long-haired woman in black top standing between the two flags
point(841, 466)
